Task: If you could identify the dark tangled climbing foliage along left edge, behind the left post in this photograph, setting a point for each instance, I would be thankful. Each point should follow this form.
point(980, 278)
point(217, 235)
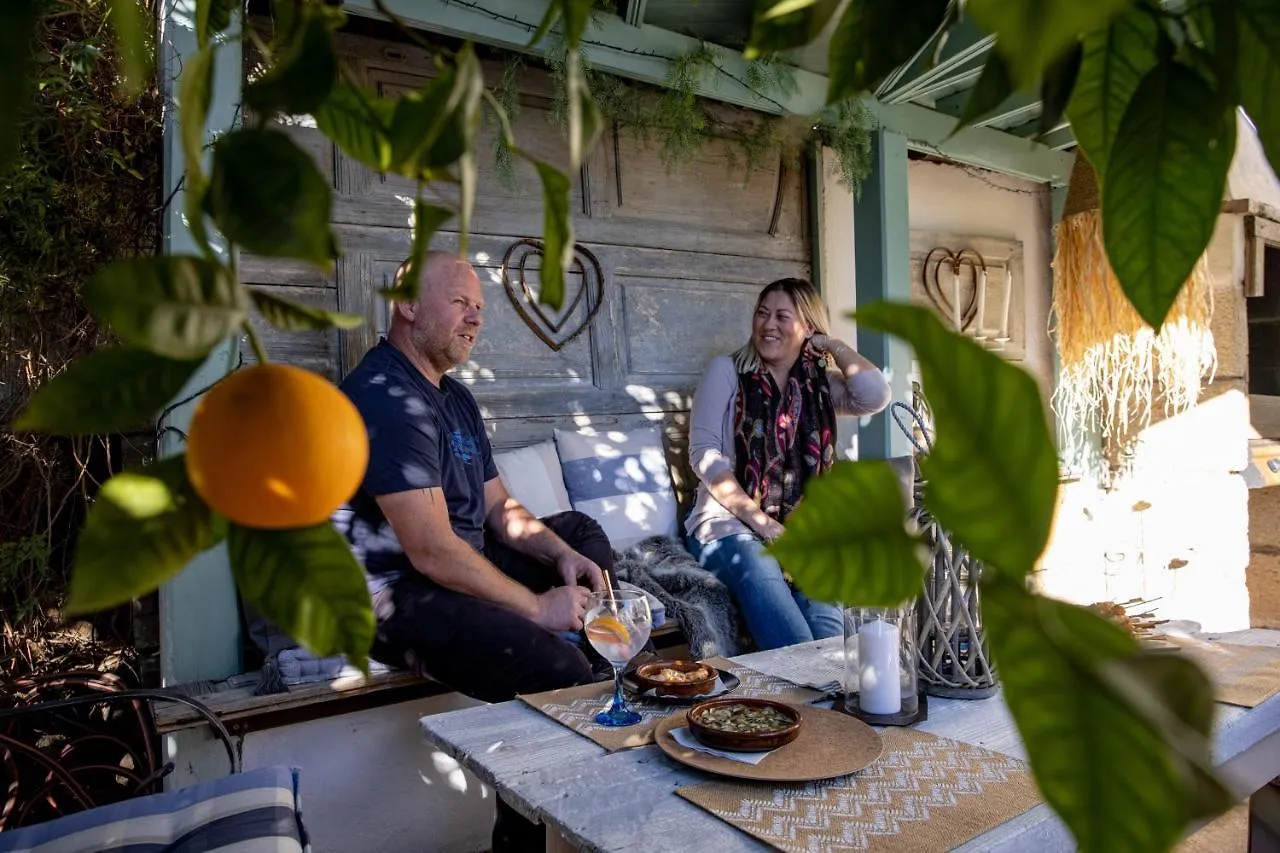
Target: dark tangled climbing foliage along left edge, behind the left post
point(83, 189)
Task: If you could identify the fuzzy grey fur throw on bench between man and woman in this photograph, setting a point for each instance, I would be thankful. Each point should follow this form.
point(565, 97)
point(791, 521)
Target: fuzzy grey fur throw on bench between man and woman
point(693, 596)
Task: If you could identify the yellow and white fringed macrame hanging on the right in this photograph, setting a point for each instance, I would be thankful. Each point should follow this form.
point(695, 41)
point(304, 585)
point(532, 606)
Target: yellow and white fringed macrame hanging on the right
point(1116, 368)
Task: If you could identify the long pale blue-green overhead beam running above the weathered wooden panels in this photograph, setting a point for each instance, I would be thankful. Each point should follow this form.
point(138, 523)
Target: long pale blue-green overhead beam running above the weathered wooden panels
point(646, 53)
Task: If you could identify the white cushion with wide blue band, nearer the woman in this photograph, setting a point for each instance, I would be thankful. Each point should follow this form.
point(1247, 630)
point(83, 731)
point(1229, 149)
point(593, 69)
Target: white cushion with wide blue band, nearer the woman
point(621, 481)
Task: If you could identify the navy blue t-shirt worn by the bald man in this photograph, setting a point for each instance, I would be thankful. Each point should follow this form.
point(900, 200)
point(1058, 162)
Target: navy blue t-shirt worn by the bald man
point(420, 437)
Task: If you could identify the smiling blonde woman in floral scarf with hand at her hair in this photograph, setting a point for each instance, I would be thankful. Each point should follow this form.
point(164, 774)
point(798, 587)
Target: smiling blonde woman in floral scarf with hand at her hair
point(764, 423)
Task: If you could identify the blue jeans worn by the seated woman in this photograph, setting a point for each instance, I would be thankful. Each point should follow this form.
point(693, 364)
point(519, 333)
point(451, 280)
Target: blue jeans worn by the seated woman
point(775, 615)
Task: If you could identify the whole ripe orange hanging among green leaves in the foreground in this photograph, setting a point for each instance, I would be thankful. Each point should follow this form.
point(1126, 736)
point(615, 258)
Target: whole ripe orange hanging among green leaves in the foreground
point(275, 446)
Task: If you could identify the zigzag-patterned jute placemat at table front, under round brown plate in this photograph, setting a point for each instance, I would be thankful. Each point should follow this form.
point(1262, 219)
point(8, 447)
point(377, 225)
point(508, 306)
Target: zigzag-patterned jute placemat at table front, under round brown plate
point(925, 795)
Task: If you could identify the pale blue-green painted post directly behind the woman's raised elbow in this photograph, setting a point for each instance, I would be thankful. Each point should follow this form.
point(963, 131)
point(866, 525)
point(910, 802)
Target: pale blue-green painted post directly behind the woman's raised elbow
point(883, 268)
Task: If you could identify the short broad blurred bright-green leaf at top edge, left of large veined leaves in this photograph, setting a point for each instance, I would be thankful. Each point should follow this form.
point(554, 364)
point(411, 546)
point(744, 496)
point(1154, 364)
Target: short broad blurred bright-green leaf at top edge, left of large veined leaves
point(1032, 34)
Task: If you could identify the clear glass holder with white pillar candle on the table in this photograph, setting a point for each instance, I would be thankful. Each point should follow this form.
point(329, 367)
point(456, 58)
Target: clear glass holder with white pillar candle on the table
point(881, 662)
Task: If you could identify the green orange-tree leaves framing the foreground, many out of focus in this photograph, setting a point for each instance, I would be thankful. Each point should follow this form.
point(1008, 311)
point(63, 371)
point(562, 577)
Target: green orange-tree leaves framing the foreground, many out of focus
point(1118, 741)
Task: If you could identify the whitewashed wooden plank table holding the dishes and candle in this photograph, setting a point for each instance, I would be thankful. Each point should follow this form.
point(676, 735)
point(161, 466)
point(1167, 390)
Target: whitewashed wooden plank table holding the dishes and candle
point(625, 801)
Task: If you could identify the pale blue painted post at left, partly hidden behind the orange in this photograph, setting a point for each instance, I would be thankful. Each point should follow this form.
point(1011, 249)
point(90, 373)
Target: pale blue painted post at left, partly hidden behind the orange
point(199, 619)
